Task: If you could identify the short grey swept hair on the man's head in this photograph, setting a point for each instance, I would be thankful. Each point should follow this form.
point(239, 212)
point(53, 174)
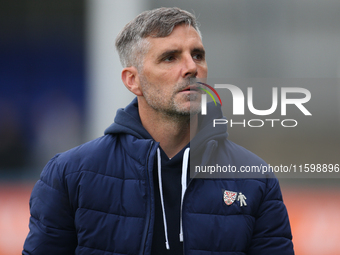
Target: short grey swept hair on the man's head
point(130, 42)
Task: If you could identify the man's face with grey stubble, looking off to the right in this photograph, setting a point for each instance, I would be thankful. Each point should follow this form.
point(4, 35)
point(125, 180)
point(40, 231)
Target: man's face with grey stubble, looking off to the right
point(168, 66)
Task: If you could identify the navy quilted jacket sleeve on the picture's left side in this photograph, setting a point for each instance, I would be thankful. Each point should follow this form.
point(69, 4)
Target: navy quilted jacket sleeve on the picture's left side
point(51, 223)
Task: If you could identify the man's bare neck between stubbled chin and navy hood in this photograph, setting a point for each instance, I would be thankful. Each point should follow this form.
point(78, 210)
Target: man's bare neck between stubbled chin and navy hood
point(172, 132)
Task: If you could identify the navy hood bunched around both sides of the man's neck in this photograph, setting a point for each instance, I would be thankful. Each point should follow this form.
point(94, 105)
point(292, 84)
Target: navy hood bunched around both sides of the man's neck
point(127, 121)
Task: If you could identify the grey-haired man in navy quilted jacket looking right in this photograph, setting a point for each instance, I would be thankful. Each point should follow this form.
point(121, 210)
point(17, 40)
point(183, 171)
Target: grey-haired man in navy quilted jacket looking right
point(130, 192)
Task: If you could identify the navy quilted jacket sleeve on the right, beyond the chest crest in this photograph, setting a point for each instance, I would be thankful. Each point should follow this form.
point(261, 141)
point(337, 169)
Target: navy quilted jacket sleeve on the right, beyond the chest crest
point(272, 233)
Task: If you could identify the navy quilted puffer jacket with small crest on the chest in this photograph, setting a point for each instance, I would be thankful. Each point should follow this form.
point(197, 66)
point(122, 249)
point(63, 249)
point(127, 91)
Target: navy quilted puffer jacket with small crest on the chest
point(98, 198)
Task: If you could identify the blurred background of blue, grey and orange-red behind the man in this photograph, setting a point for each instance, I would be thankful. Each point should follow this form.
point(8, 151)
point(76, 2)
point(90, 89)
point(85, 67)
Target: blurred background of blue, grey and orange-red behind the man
point(60, 86)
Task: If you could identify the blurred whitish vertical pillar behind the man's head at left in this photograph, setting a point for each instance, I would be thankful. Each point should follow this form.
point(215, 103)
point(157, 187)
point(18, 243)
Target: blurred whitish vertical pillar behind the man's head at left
point(105, 90)
